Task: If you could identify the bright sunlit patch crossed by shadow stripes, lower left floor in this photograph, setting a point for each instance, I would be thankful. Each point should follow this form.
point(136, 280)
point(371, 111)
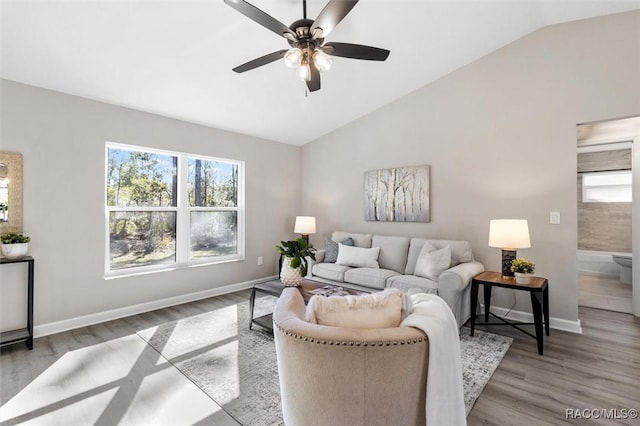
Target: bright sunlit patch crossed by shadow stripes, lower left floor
point(122, 381)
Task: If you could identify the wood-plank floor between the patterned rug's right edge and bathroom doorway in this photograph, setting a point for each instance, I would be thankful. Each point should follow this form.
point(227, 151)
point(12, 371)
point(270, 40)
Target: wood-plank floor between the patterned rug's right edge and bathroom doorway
point(598, 369)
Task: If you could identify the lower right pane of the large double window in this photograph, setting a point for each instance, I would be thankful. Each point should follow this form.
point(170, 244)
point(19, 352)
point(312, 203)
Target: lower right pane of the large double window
point(213, 234)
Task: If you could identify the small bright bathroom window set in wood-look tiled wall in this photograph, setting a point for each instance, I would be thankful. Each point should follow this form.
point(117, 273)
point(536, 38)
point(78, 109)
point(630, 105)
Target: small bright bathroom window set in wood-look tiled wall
point(607, 187)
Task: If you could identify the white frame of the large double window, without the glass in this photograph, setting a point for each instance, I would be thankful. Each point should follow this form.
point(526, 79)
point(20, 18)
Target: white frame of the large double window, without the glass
point(183, 213)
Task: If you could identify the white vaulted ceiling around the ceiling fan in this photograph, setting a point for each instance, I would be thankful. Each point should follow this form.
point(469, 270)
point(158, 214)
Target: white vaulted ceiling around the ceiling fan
point(174, 58)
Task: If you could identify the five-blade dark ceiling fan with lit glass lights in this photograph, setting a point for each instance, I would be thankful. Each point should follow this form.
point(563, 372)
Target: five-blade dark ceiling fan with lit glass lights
point(308, 53)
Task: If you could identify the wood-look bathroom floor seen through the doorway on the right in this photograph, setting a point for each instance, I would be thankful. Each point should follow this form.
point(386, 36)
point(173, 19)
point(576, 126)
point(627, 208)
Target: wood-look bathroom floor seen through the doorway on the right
point(604, 293)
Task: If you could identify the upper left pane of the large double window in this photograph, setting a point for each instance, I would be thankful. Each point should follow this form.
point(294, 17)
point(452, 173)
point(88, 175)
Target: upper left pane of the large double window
point(136, 178)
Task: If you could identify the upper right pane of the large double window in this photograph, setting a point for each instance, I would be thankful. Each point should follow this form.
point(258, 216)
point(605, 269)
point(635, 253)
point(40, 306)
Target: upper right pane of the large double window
point(212, 183)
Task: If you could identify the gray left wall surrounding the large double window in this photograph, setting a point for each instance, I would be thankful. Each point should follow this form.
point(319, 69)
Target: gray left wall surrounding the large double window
point(62, 139)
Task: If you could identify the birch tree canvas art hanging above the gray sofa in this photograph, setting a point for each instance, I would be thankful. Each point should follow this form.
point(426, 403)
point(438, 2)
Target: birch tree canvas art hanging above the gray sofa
point(397, 195)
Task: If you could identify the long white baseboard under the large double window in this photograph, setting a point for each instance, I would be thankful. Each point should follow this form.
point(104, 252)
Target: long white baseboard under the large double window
point(83, 321)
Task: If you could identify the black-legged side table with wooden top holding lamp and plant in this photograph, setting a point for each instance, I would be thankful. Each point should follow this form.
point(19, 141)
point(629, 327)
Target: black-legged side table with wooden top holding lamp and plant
point(538, 288)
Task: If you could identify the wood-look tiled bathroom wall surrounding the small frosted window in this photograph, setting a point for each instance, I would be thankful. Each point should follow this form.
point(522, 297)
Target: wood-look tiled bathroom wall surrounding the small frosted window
point(604, 226)
